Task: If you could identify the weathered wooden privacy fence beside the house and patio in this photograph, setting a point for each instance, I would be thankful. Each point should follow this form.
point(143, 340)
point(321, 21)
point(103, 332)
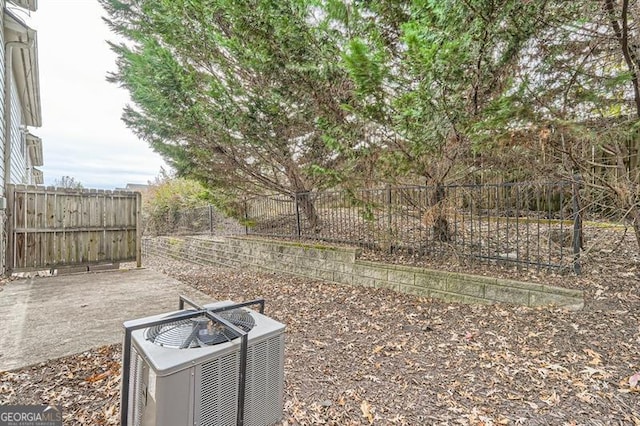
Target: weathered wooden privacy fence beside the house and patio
point(49, 228)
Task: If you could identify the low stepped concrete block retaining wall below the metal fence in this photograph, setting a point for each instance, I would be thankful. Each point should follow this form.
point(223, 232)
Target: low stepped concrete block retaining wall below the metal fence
point(341, 265)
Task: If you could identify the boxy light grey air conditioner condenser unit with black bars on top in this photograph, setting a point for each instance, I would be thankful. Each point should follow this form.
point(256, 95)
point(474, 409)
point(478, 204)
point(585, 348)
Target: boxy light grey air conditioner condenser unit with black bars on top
point(187, 368)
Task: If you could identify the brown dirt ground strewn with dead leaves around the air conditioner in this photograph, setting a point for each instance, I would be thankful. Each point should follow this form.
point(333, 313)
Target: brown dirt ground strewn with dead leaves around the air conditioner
point(371, 356)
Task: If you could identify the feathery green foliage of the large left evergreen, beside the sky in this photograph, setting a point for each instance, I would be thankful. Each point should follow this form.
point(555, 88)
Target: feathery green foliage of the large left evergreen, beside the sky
point(235, 94)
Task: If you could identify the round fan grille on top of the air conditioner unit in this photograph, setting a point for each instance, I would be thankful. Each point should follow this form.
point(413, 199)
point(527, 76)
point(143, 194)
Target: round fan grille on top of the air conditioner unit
point(200, 331)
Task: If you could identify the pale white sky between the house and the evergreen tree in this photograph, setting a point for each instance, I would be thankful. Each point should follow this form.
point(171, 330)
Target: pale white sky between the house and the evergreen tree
point(82, 133)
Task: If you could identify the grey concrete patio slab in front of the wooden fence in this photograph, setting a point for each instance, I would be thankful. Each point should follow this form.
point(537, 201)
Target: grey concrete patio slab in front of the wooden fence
point(50, 317)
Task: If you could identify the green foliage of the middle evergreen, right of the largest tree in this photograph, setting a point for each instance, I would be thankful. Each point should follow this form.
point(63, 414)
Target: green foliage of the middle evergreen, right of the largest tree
point(432, 77)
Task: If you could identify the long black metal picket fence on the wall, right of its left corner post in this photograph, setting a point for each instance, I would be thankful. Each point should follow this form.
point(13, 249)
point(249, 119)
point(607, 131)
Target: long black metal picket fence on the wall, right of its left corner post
point(530, 224)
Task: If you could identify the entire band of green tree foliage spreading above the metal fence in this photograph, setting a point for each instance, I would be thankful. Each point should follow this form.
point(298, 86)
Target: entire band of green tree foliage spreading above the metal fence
point(293, 96)
